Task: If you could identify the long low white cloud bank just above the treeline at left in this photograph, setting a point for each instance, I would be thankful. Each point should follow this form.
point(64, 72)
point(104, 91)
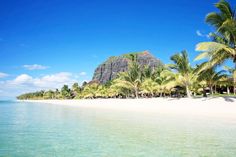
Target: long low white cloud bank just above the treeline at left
point(25, 83)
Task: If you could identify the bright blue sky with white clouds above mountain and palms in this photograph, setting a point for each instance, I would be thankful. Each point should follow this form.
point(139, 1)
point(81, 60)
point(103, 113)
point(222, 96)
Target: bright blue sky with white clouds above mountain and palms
point(47, 43)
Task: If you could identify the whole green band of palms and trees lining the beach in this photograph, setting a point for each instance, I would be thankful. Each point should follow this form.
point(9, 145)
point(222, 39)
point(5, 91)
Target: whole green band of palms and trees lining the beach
point(178, 79)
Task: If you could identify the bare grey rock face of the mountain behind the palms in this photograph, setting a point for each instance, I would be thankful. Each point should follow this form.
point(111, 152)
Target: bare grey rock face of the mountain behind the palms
point(114, 65)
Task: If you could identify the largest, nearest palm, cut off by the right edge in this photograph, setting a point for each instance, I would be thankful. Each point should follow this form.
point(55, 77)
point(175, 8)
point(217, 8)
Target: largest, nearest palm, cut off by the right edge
point(223, 46)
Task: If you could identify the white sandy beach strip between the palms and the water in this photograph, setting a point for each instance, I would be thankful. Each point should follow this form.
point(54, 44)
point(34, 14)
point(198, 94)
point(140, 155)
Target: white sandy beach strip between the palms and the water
point(216, 107)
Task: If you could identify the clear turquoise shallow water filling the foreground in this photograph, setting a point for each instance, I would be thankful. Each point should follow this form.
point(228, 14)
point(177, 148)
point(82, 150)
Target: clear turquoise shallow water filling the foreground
point(40, 130)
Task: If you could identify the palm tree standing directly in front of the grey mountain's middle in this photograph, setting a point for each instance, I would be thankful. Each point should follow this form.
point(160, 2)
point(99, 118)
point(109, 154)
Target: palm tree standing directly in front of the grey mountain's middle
point(130, 80)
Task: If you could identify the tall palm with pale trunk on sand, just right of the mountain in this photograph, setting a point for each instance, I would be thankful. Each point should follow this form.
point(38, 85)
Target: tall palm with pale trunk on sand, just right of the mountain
point(185, 75)
